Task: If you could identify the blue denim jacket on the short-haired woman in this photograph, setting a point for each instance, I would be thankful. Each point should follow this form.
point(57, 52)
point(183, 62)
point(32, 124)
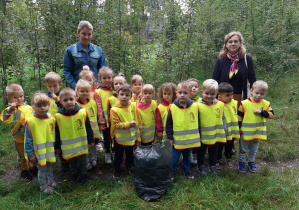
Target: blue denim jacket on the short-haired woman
point(76, 57)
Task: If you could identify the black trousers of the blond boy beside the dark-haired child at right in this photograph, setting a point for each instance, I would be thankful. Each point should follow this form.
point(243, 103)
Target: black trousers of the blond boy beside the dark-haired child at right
point(212, 150)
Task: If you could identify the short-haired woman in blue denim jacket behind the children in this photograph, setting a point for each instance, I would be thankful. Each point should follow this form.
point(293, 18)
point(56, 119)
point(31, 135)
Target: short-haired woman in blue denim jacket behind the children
point(82, 53)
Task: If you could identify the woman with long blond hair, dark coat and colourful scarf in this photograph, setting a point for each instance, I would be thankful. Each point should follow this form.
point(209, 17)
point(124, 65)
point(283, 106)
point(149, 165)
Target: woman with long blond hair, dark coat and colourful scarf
point(233, 67)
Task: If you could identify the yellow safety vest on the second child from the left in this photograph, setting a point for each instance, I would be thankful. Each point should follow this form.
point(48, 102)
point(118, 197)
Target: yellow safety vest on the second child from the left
point(43, 135)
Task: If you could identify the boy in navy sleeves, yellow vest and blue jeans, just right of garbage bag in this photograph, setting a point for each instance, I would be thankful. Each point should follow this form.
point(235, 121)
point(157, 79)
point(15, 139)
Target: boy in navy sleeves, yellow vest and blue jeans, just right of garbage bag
point(182, 127)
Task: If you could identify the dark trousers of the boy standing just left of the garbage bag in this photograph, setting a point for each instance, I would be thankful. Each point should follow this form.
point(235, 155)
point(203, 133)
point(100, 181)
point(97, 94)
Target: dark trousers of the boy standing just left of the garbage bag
point(119, 152)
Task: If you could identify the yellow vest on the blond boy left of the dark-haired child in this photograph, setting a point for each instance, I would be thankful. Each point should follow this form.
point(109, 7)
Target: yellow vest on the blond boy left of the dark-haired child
point(212, 129)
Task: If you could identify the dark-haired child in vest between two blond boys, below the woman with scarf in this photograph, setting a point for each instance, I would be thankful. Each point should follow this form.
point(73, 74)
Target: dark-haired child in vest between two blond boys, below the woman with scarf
point(225, 94)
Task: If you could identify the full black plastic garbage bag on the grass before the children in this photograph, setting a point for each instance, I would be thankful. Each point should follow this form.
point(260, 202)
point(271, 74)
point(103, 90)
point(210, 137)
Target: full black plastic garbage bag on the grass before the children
point(153, 169)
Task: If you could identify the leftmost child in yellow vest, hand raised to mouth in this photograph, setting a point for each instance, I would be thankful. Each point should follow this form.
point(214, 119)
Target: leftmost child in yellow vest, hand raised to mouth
point(14, 116)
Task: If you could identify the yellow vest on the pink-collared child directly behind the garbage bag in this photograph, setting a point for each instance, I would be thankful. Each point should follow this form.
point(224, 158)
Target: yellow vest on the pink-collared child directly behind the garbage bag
point(148, 122)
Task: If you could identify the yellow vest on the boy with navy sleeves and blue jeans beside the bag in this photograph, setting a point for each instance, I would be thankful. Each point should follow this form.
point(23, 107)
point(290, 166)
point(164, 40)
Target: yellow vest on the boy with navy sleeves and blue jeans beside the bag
point(185, 126)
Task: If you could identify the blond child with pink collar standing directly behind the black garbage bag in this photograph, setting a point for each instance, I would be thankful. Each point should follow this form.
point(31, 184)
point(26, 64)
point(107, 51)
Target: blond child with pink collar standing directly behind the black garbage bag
point(147, 108)
